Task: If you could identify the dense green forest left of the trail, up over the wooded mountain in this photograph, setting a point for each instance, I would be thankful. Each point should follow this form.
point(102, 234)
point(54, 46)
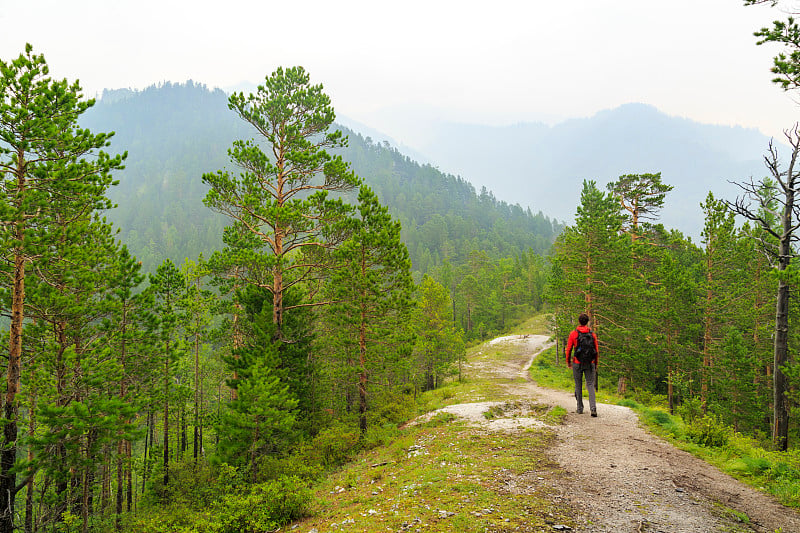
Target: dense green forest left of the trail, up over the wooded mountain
point(252, 321)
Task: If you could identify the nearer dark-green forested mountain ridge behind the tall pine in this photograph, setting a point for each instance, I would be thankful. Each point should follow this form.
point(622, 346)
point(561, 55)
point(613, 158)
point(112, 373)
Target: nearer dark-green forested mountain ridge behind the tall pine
point(176, 132)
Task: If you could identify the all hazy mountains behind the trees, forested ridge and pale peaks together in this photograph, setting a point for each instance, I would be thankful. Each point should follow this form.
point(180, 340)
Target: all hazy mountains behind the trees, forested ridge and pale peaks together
point(532, 173)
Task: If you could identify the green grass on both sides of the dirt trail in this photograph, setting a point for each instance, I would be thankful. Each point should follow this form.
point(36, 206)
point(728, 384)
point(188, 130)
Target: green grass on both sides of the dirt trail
point(446, 476)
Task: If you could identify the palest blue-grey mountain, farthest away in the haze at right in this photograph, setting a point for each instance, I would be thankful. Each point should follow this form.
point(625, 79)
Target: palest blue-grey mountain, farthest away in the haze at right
point(542, 166)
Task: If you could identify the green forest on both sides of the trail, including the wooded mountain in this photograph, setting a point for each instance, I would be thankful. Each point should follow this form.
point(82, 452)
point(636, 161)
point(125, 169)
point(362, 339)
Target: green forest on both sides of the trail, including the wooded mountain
point(197, 334)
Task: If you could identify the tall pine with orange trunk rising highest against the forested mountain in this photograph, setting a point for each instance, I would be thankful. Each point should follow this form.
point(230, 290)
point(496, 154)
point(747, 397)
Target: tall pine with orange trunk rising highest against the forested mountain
point(282, 199)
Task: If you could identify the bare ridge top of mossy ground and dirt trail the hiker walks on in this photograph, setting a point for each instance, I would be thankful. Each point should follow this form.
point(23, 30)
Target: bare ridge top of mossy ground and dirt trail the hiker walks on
point(499, 454)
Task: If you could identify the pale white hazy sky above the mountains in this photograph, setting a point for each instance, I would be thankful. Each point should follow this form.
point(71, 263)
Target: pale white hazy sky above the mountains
point(492, 62)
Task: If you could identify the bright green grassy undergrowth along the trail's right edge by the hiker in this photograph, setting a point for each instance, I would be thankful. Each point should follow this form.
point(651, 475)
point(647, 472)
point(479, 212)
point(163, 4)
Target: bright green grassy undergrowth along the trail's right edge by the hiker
point(705, 436)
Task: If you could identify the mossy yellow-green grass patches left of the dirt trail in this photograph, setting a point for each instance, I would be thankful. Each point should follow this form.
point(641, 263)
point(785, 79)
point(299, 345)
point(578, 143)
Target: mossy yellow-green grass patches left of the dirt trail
point(443, 475)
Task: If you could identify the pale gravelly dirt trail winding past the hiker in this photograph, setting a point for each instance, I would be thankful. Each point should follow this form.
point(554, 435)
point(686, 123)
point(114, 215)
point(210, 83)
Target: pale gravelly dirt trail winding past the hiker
point(622, 479)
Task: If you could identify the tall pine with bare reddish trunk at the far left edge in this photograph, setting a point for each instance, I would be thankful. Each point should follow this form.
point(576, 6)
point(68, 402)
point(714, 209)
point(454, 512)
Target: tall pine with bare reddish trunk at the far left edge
point(44, 156)
